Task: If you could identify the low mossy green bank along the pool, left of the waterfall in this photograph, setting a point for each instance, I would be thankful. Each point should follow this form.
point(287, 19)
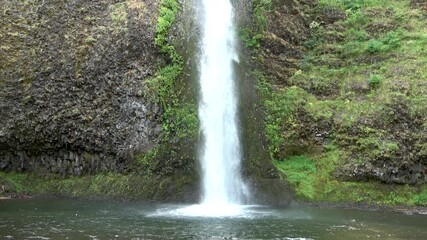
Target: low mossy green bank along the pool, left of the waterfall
point(109, 185)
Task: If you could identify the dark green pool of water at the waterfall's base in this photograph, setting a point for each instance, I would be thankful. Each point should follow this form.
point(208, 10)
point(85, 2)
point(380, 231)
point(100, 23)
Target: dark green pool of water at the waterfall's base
point(70, 219)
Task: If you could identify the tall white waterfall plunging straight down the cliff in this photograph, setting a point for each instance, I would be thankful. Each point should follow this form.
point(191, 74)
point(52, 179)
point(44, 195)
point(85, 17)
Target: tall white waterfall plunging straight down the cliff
point(220, 150)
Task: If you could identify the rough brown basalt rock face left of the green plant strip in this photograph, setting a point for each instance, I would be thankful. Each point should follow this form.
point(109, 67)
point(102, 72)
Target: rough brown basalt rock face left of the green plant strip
point(71, 84)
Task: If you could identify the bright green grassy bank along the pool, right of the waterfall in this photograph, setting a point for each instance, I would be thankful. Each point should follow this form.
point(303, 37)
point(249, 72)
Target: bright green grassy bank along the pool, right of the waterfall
point(311, 179)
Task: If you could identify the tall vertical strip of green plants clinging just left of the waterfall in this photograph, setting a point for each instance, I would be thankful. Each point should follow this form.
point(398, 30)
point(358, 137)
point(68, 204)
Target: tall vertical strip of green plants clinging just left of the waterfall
point(179, 118)
